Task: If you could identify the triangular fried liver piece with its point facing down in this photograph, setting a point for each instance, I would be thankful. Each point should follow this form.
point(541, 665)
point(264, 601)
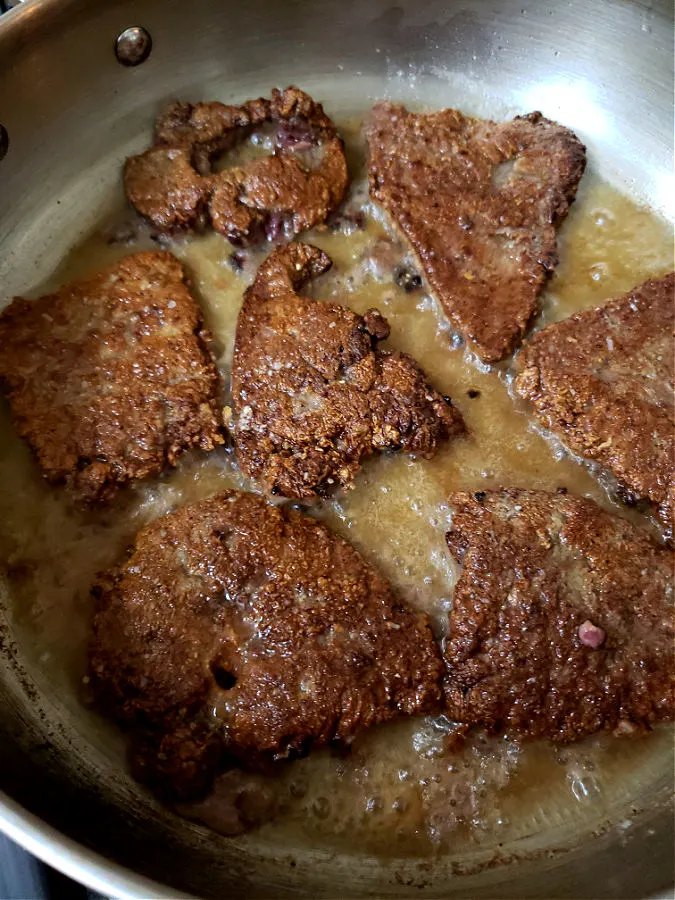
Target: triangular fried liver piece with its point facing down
point(480, 203)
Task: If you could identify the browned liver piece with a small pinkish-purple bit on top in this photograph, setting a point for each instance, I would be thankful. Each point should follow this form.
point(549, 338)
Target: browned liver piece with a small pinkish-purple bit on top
point(563, 618)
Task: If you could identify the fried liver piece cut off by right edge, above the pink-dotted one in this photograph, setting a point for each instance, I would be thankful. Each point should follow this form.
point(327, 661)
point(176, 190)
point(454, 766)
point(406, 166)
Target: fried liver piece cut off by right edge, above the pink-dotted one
point(604, 381)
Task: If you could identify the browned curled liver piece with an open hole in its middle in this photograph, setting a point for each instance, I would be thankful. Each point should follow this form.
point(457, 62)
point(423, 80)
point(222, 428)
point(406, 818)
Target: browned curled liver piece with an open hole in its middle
point(174, 186)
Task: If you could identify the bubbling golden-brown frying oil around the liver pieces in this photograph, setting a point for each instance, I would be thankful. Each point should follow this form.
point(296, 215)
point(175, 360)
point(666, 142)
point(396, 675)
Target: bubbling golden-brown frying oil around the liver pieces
point(400, 791)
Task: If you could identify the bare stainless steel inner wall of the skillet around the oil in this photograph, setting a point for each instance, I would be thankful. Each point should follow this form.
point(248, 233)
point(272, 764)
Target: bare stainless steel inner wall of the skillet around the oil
point(72, 114)
